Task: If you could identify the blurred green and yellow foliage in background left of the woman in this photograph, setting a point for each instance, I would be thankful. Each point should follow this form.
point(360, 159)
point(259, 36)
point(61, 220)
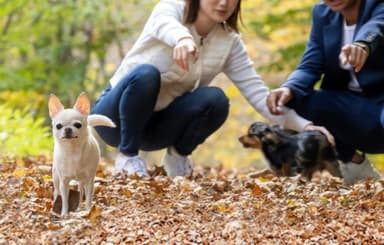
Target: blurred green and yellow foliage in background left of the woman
point(61, 47)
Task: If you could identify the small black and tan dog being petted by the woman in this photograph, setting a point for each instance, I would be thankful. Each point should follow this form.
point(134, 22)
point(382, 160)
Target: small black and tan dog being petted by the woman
point(290, 153)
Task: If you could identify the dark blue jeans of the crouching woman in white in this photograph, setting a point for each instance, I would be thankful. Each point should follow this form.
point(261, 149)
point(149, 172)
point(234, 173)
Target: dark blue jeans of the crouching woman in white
point(184, 124)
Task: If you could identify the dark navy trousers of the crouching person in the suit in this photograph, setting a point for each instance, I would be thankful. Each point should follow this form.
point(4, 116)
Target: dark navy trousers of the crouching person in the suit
point(355, 121)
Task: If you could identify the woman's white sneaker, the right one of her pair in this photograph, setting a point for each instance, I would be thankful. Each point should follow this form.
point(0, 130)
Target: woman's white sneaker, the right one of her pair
point(176, 164)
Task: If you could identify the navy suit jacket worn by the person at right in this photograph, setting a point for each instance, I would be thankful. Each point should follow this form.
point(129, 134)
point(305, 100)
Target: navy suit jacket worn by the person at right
point(321, 57)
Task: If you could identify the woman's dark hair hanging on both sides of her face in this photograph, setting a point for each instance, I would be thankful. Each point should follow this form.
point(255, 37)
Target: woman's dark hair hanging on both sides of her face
point(191, 11)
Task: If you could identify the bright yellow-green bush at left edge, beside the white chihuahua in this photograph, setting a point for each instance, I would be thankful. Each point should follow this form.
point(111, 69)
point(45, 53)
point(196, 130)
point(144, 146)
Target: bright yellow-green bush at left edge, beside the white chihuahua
point(23, 135)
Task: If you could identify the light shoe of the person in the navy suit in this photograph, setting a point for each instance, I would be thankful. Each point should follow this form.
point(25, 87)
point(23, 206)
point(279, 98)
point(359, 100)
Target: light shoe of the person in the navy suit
point(353, 172)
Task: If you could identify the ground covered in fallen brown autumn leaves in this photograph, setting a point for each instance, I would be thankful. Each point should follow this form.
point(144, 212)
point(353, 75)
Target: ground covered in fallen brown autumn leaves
point(215, 206)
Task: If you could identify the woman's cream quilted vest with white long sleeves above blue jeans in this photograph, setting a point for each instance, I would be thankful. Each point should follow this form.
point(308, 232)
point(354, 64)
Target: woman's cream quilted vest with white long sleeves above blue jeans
point(222, 50)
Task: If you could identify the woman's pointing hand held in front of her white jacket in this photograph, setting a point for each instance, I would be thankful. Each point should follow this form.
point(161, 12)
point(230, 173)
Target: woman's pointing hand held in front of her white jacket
point(185, 47)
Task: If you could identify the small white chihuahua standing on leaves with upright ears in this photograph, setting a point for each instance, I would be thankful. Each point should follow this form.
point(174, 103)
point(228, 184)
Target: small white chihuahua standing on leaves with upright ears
point(76, 152)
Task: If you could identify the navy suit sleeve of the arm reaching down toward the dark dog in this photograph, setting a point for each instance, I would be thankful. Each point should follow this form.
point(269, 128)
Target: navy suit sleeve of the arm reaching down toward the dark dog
point(308, 72)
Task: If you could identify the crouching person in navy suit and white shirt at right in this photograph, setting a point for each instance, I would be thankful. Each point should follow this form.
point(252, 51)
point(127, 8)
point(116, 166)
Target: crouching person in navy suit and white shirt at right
point(345, 53)
